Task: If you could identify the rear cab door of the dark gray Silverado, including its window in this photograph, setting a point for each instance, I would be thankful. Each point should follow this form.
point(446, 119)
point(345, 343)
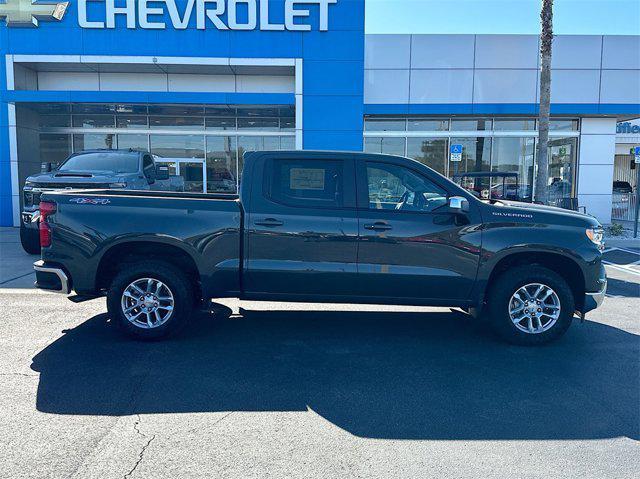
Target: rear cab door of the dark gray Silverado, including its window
point(301, 226)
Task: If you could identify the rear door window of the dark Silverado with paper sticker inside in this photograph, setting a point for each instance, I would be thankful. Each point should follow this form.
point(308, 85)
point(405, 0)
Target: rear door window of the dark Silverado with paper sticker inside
point(313, 183)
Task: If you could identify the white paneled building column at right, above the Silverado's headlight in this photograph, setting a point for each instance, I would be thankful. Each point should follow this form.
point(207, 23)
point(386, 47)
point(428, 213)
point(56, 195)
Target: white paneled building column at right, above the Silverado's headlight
point(595, 166)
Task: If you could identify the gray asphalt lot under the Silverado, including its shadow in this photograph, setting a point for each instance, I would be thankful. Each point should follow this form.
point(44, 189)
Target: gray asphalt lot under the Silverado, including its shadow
point(312, 390)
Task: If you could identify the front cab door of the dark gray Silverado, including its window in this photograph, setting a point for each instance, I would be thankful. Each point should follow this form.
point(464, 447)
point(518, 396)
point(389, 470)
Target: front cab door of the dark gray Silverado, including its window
point(412, 245)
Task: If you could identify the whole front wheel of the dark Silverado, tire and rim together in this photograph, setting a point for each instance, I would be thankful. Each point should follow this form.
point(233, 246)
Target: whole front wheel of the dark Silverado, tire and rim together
point(530, 305)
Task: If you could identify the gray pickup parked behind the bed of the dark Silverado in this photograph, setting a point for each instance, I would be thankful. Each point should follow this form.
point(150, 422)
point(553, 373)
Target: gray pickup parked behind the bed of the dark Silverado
point(123, 169)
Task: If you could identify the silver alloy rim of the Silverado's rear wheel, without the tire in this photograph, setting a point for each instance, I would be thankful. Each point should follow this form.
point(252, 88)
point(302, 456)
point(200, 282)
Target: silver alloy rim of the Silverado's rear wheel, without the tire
point(147, 303)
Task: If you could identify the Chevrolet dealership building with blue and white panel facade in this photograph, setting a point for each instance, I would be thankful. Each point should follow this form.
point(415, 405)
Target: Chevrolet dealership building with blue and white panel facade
point(199, 82)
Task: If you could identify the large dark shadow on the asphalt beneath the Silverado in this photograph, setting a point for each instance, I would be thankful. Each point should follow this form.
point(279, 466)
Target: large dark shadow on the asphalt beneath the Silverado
point(376, 375)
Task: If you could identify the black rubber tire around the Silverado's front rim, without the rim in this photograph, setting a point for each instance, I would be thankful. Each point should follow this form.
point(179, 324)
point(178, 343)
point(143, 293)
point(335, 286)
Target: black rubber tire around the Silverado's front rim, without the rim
point(512, 280)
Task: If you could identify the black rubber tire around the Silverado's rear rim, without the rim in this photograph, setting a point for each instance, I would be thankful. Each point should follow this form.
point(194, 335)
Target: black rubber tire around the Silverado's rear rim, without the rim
point(173, 278)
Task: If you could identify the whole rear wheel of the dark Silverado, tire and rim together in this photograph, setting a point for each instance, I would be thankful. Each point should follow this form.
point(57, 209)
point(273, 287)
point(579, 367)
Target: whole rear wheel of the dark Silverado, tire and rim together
point(150, 300)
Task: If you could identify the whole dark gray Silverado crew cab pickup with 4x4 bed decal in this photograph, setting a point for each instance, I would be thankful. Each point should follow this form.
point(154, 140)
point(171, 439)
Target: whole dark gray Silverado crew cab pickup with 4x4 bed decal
point(324, 227)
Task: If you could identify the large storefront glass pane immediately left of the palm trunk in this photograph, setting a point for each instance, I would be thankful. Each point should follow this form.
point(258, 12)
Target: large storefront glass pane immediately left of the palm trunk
point(515, 155)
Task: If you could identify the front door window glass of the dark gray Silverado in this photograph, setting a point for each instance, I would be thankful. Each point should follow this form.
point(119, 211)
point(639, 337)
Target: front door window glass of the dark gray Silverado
point(393, 187)
